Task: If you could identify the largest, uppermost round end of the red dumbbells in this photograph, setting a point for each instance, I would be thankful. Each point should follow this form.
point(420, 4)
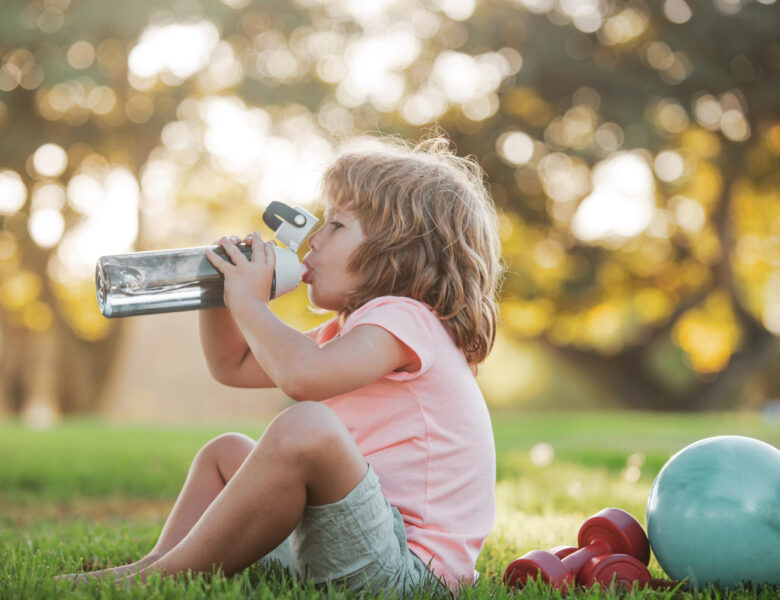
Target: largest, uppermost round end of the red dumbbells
point(620, 530)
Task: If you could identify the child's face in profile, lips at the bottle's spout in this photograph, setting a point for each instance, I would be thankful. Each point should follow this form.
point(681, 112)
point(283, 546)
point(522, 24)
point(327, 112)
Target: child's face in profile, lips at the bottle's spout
point(331, 248)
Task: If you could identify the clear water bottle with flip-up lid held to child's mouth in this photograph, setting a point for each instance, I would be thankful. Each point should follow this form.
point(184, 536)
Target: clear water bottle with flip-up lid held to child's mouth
point(144, 283)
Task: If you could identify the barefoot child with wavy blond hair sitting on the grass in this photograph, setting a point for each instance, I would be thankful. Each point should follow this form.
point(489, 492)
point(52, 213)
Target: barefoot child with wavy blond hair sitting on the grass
point(382, 475)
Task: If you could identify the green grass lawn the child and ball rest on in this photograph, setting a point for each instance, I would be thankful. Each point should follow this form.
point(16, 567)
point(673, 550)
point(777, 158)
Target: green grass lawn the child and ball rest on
point(89, 494)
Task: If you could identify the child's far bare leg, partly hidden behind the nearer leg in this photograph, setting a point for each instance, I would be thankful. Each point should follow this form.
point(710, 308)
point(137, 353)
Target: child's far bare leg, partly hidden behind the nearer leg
point(213, 466)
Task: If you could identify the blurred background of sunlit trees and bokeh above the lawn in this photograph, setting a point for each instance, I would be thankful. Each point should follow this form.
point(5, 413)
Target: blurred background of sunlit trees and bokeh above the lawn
point(632, 147)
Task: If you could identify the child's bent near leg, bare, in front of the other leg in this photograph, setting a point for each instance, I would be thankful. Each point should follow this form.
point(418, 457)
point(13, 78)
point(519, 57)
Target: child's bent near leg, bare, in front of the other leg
point(306, 456)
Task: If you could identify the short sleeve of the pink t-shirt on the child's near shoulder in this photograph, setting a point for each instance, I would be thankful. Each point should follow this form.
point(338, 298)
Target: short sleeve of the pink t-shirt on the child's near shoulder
point(410, 321)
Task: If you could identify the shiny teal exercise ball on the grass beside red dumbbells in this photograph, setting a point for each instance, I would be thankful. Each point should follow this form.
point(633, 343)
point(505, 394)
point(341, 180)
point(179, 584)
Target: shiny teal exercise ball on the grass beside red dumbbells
point(713, 514)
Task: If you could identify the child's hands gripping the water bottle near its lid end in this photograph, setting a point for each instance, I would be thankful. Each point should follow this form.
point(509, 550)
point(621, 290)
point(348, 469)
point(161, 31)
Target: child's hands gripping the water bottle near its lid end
point(245, 278)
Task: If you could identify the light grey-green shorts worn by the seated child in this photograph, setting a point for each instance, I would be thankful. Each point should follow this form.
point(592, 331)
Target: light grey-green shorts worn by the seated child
point(359, 541)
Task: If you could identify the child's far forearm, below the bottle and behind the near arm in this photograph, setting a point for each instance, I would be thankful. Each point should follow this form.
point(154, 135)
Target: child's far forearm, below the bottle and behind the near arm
point(227, 353)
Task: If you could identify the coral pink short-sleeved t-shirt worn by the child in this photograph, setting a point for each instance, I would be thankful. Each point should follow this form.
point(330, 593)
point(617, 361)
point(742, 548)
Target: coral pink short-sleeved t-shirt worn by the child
point(427, 434)
